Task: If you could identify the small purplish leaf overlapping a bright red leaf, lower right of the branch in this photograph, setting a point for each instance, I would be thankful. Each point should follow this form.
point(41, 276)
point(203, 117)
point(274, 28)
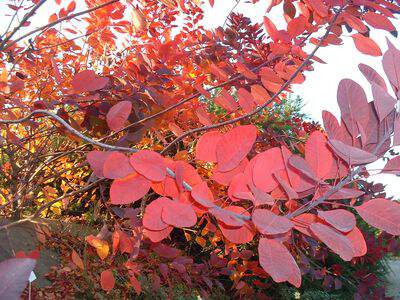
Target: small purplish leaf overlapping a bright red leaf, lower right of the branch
point(341, 219)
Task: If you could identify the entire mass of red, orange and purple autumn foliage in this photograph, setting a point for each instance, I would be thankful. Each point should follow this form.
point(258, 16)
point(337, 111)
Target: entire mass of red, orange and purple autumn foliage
point(166, 129)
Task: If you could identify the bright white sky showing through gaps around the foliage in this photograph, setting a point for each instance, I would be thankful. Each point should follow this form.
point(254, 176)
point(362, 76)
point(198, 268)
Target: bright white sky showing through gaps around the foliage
point(319, 89)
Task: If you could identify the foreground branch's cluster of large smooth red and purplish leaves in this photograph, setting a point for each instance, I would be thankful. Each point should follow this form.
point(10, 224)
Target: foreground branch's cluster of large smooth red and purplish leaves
point(268, 193)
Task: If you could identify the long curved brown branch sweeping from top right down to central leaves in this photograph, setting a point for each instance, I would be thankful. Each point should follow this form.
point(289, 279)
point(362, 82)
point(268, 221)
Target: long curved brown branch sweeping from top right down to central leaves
point(260, 108)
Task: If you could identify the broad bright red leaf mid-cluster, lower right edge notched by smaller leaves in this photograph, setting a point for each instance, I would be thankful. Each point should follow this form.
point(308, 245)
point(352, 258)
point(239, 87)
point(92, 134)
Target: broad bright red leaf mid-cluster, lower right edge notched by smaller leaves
point(267, 163)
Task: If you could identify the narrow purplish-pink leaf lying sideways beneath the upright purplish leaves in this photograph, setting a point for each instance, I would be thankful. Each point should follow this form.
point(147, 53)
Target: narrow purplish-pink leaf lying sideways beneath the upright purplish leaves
point(351, 155)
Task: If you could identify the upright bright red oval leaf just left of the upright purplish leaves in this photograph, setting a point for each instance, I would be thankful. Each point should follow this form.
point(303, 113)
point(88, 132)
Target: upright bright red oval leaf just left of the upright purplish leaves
point(318, 155)
